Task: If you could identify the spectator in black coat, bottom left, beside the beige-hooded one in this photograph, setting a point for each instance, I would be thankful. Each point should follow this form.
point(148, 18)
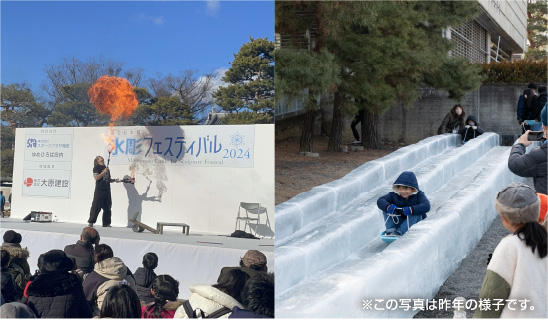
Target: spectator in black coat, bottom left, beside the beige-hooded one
point(56, 292)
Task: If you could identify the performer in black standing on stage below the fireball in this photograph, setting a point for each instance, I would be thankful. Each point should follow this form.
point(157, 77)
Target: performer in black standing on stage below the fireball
point(101, 196)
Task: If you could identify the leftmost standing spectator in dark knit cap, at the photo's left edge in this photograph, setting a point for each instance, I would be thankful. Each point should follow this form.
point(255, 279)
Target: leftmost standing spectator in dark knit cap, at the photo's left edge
point(19, 266)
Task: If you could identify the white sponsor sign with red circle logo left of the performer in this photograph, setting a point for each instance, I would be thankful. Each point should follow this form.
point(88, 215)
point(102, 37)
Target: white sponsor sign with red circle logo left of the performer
point(48, 162)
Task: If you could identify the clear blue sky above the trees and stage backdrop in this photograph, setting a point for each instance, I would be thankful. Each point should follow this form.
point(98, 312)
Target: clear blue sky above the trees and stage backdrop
point(158, 36)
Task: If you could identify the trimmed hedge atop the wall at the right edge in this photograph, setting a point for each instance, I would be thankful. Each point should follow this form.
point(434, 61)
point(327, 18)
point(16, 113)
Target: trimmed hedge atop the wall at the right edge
point(515, 72)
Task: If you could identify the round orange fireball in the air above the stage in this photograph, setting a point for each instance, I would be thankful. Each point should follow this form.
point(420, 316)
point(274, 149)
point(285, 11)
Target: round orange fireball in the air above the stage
point(113, 96)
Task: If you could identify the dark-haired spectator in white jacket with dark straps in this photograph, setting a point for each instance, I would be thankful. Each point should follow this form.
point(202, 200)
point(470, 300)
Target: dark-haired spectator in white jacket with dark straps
point(219, 299)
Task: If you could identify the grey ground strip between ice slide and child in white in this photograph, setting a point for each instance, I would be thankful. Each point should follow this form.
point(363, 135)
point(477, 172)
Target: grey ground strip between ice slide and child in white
point(467, 279)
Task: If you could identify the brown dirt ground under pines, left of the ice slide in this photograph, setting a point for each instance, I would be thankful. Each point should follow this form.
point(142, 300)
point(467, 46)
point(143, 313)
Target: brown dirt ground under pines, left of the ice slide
point(296, 174)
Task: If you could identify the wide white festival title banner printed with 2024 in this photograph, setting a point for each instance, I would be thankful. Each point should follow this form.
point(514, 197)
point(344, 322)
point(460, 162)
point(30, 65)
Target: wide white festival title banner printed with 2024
point(197, 146)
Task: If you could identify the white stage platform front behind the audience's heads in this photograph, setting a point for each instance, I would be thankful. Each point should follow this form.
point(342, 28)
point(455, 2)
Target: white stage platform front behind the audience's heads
point(193, 259)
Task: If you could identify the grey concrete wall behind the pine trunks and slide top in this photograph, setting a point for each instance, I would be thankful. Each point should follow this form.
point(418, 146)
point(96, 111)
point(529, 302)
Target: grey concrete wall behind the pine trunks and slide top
point(493, 104)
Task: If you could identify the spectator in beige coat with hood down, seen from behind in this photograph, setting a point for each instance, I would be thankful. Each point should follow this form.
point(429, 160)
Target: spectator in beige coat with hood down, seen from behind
point(108, 271)
